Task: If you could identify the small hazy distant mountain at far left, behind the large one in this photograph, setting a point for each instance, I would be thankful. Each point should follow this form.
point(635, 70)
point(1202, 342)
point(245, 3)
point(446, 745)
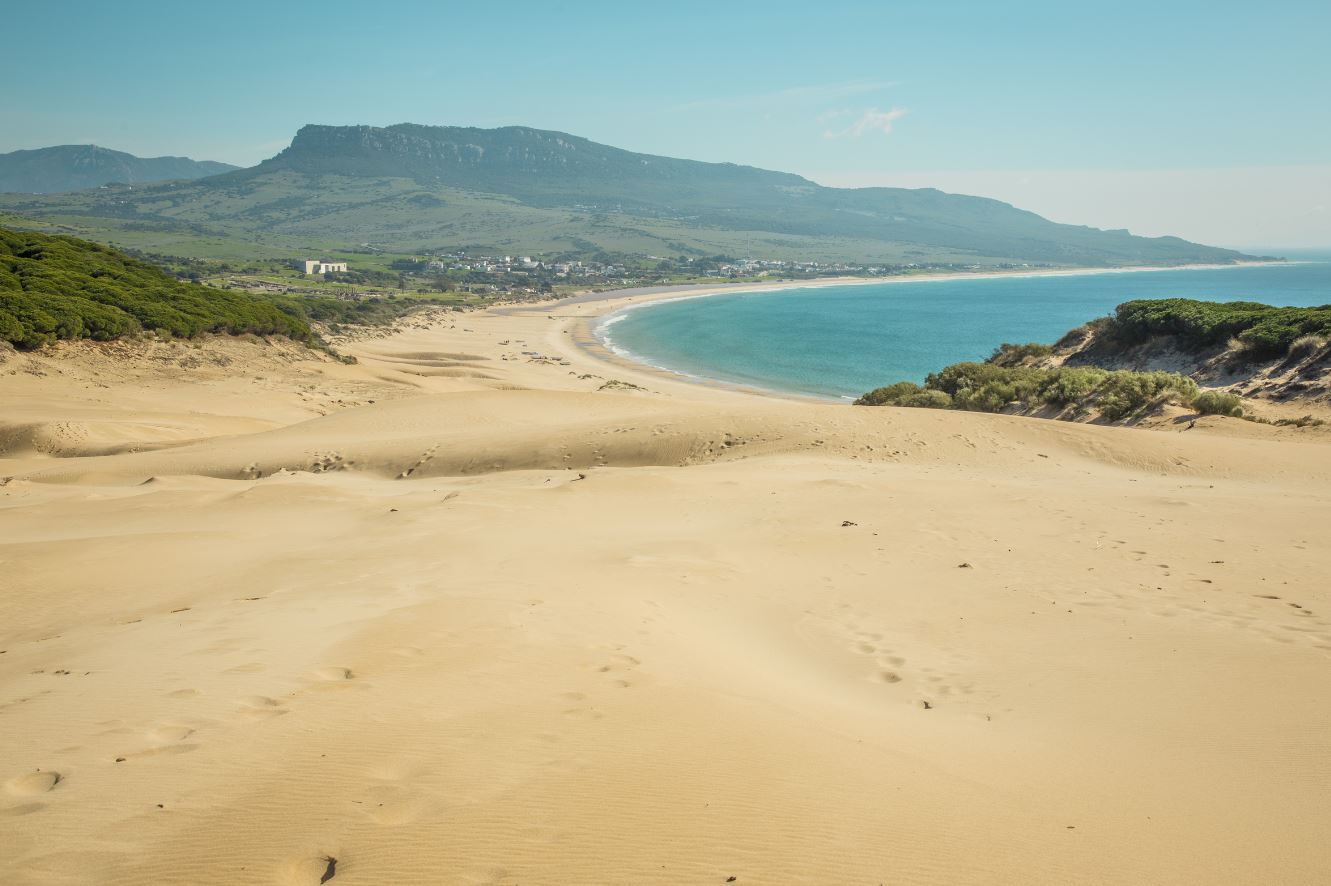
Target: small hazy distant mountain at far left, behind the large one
point(77, 167)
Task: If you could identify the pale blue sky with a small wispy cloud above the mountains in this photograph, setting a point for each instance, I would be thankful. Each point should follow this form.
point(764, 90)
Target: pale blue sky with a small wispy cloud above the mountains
point(1208, 120)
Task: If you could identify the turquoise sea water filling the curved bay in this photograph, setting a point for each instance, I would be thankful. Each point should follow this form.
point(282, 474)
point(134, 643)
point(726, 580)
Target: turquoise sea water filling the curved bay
point(842, 341)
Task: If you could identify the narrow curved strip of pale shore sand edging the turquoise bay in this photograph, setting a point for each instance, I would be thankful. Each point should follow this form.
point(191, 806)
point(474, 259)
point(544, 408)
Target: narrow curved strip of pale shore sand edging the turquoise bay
point(609, 304)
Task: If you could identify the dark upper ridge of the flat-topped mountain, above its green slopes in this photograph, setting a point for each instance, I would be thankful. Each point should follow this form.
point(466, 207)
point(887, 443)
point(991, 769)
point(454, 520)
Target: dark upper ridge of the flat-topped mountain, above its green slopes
point(524, 163)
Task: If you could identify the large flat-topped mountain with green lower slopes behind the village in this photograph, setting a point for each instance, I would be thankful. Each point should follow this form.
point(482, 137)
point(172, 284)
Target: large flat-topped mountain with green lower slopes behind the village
point(412, 188)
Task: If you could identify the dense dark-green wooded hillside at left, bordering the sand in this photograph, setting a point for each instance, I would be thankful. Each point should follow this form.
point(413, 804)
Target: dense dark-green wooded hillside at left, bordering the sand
point(61, 288)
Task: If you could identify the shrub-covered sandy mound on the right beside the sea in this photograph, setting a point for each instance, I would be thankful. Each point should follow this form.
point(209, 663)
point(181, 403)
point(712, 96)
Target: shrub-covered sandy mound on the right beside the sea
point(1217, 359)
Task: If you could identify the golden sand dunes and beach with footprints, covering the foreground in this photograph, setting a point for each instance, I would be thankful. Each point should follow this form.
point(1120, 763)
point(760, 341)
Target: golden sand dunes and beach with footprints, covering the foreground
point(490, 607)
